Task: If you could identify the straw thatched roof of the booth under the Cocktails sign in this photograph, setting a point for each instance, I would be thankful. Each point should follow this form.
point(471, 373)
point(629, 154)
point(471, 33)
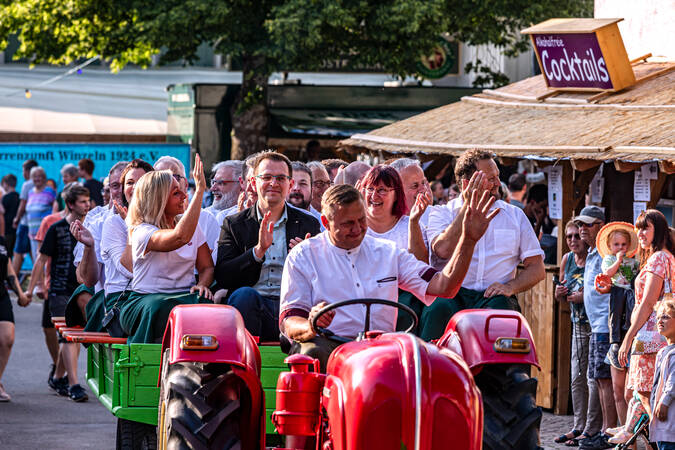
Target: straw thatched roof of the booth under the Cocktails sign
point(635, 125)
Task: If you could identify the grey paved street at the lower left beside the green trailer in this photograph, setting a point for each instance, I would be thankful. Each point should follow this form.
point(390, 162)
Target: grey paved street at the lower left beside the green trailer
point(36, 418)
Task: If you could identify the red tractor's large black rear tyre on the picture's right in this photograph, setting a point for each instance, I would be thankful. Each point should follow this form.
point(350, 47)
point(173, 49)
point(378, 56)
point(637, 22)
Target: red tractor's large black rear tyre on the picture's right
point(511, 416)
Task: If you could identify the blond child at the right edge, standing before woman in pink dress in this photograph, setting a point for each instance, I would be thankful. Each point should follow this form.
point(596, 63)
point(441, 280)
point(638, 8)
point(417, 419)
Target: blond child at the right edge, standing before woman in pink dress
point(662, 426)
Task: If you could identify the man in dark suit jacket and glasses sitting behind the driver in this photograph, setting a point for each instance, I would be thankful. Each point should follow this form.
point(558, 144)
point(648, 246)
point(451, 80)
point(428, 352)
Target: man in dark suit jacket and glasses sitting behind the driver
point(254, 243)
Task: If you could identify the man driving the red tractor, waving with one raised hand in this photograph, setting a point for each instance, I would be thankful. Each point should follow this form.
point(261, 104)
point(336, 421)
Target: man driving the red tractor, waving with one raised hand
point(344, 263)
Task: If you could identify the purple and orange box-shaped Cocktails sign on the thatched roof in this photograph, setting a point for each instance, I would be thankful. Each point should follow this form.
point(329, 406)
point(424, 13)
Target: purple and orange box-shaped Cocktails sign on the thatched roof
point(582, 54)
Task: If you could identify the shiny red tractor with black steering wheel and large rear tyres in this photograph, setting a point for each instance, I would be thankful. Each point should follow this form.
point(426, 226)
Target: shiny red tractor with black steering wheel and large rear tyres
point(381, 391)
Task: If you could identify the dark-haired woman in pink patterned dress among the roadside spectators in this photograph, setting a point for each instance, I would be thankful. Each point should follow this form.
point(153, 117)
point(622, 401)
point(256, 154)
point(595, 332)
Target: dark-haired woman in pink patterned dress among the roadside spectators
point(654, 280)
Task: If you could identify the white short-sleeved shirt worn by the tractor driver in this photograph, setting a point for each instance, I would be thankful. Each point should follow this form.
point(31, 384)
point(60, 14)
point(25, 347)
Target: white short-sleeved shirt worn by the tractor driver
point(316, 271)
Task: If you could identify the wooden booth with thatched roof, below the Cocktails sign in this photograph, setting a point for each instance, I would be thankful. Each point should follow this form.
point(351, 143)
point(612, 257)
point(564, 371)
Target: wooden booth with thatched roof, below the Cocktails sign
point(584, 138)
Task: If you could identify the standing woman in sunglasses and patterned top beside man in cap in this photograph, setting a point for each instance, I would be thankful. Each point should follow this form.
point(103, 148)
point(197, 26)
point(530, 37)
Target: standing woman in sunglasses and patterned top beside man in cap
point(571, 289)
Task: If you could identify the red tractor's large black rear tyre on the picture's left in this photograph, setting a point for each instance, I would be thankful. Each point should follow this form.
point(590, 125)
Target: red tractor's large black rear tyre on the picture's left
point(200, 407)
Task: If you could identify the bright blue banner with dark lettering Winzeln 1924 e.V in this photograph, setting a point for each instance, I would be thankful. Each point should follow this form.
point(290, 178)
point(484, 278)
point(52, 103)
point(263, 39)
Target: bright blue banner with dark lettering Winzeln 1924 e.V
point(53, 156)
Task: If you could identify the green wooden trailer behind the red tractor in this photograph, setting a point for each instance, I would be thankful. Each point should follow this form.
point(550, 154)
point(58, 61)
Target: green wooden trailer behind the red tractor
point(125, 377)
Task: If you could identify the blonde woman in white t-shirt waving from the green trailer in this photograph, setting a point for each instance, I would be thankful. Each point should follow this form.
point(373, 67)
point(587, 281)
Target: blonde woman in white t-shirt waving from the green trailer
point(165, 252)
